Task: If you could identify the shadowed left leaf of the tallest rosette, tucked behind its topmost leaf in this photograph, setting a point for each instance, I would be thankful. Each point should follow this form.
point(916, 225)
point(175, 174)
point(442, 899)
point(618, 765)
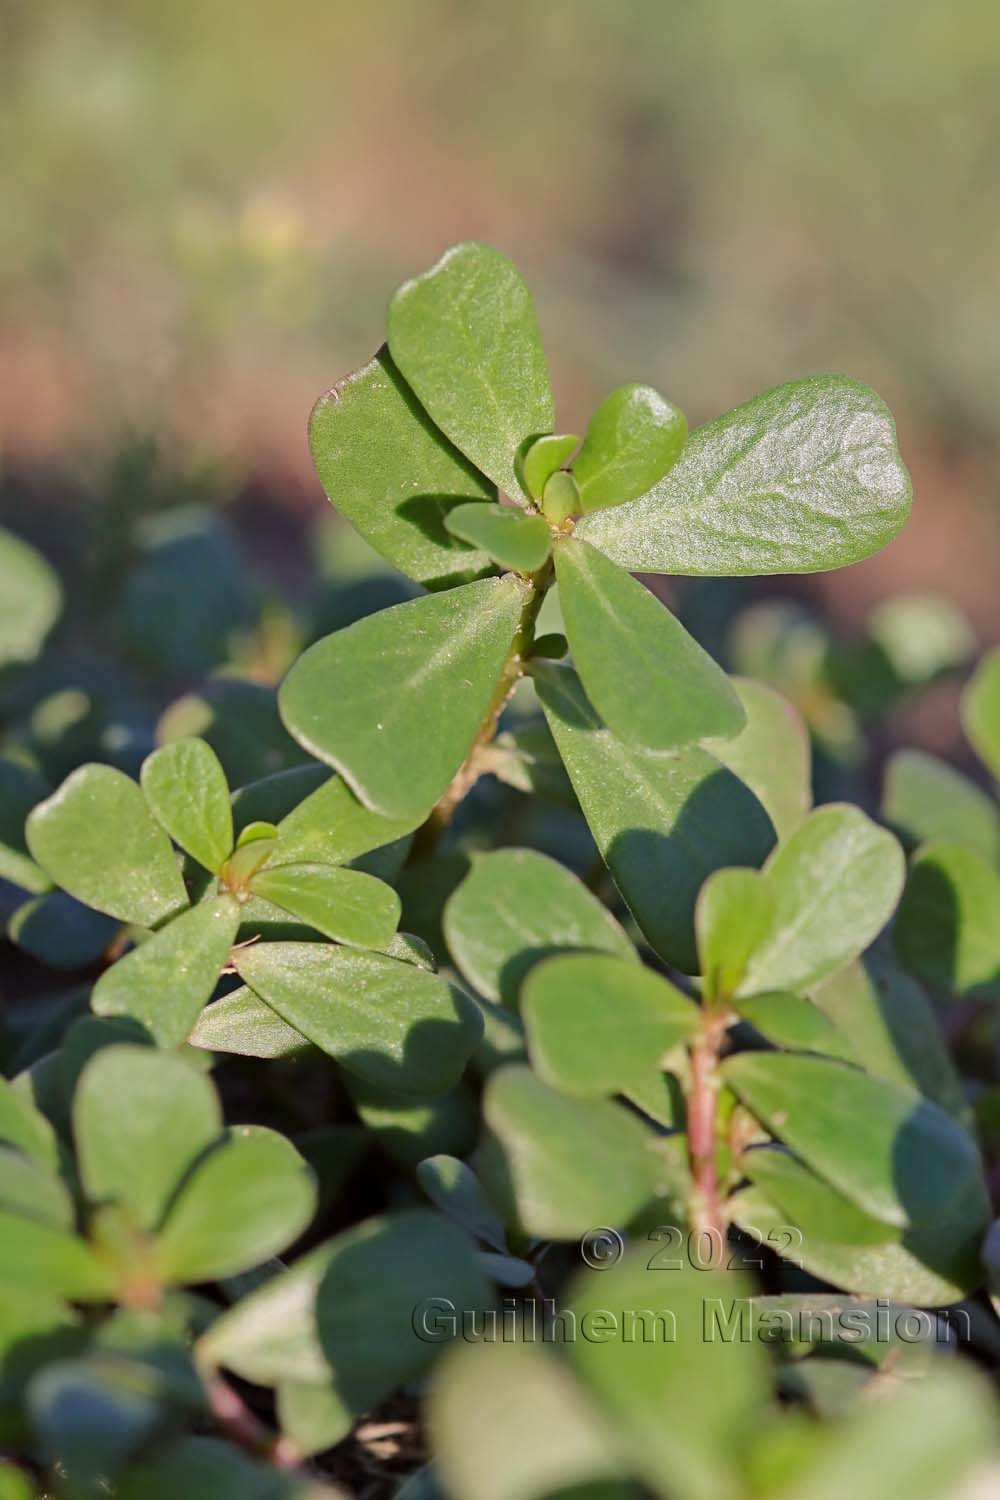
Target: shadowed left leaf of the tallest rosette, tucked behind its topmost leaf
point(394, 475)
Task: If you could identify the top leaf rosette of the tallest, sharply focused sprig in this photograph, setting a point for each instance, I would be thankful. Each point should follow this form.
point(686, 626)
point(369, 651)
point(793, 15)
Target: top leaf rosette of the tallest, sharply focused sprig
point(800, 479)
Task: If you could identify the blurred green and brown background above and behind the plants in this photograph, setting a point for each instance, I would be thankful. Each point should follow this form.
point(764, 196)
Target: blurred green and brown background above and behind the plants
point(208, 206)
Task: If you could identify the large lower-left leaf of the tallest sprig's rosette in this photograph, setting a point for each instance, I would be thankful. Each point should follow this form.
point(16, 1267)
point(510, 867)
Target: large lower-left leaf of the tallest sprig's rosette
point(419, 674)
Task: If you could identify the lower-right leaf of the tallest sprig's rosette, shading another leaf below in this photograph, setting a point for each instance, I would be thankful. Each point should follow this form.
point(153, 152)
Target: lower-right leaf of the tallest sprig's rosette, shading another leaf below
point(650, 682)
